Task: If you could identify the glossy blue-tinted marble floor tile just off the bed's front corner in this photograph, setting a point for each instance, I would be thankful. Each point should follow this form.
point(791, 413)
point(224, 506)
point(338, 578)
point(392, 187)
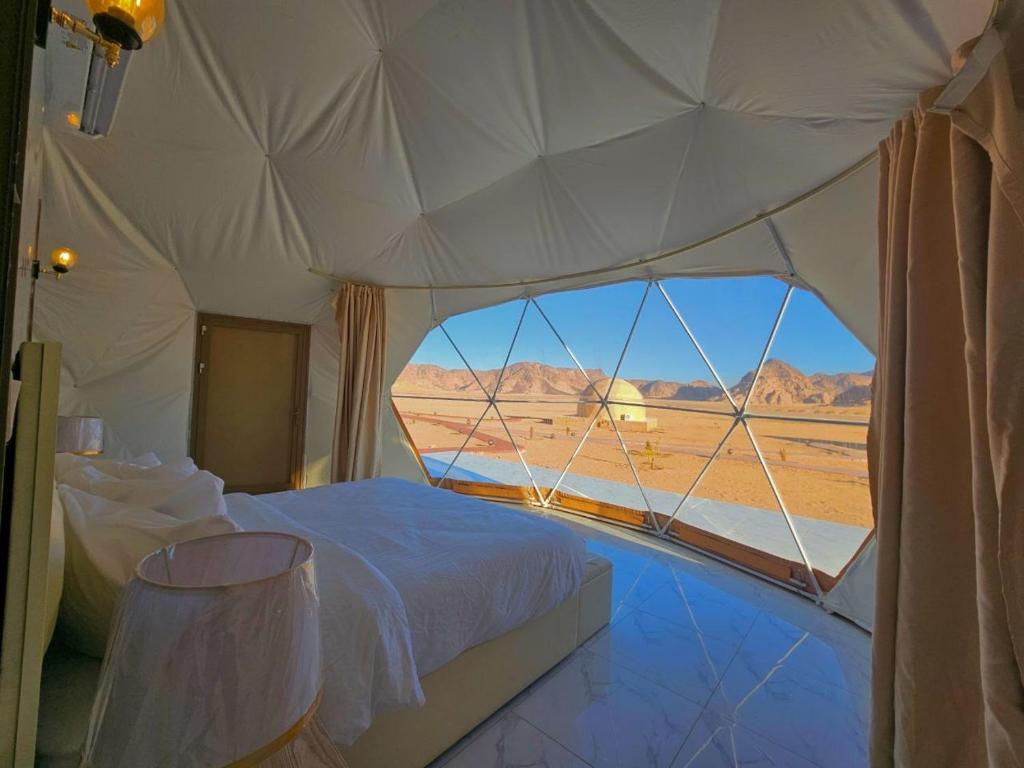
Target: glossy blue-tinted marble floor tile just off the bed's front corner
point(678, 658)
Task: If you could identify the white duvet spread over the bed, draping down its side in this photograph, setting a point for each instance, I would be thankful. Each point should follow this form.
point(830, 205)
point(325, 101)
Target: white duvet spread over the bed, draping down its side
point(410, 577)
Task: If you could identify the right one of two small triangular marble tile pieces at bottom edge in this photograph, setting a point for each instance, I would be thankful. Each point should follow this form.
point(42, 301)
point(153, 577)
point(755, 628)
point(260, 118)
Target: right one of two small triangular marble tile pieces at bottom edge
point(718, 743)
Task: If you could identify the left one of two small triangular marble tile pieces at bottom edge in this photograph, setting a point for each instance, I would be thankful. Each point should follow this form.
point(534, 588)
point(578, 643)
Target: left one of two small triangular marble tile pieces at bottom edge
point(511, 742)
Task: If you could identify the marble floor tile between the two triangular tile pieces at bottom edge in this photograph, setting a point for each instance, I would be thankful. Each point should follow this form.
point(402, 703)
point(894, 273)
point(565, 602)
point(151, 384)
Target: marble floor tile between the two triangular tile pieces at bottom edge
point(611, 717)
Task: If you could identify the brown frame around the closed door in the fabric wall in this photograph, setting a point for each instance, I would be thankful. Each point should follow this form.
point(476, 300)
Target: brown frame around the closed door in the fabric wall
point(301, 387)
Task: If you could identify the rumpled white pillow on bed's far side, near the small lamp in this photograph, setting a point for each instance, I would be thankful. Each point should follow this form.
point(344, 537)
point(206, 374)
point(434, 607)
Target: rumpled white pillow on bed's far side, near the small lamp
point(187, 498)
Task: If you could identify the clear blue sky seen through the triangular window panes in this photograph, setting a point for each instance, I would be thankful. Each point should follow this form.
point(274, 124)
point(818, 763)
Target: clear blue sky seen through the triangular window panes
point(731, 318)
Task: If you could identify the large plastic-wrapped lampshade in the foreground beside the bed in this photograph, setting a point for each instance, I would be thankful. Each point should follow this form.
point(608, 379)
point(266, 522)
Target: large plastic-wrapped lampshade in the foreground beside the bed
point(215, 656)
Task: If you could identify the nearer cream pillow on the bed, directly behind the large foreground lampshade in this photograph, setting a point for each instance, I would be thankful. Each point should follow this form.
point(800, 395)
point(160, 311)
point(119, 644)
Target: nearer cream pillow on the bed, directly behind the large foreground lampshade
point(105, 541)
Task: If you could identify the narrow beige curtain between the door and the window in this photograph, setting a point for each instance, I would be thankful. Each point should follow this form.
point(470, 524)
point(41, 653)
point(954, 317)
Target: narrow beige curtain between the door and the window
point(362, 318)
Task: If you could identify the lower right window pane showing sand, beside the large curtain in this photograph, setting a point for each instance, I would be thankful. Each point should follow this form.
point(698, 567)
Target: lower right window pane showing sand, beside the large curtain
point(822, 474)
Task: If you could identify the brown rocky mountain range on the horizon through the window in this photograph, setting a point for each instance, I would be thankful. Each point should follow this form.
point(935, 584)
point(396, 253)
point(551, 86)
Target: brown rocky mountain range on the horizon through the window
point(780, 385)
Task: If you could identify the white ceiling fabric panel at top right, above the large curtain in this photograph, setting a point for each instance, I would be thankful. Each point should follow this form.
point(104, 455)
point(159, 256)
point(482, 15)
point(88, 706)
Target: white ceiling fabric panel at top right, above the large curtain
point(775, 77)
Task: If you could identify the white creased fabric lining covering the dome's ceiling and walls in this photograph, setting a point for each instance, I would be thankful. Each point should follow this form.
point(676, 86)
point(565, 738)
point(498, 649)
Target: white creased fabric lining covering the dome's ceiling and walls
point(462, 154)
